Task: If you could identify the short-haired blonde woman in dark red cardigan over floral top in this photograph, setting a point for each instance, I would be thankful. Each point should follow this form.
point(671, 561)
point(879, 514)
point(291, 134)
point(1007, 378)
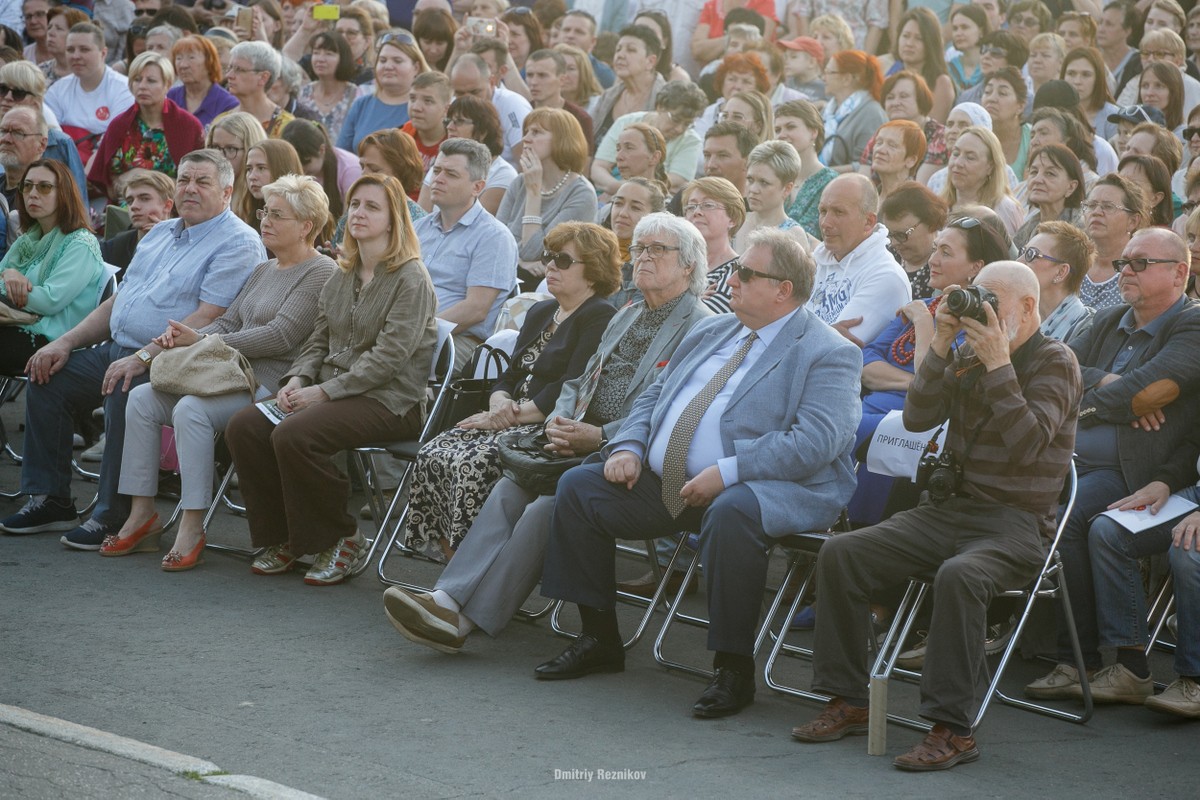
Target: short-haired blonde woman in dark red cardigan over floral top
point(154, 134)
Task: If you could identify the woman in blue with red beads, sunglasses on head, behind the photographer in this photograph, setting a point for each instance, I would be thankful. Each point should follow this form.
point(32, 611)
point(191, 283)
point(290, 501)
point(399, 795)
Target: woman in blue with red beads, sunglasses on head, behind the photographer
point(961, 250)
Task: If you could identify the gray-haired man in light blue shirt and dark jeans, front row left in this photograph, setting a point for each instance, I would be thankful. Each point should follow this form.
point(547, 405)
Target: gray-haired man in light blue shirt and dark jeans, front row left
point(188, 269)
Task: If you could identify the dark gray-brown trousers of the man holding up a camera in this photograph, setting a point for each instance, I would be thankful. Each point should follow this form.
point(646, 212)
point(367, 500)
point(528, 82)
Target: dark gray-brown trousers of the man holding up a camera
point(977, 549)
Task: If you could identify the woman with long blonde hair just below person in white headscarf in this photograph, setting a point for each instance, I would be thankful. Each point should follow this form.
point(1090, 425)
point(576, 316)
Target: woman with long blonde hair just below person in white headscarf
point(979, 177)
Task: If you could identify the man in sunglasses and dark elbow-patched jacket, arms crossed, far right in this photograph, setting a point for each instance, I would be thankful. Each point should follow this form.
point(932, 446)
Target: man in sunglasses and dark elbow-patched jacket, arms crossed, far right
point(1142, 398)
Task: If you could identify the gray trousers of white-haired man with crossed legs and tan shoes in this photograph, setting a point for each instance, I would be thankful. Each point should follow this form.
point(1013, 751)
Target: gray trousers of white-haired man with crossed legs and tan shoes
point(500, 562)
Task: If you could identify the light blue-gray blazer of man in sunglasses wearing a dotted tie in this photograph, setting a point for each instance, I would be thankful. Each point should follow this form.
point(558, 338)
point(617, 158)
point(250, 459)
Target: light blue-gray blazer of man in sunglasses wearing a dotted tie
point(791, 422)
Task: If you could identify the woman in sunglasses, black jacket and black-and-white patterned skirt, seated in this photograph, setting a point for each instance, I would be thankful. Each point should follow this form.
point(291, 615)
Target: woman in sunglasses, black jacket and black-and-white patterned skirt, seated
point(457, 472)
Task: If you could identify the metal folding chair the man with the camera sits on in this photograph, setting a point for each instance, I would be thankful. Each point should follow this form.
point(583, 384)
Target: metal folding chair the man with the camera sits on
point(1049, 584)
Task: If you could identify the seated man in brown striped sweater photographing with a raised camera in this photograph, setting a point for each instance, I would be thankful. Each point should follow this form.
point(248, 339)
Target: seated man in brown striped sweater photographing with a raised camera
point(1012, 399)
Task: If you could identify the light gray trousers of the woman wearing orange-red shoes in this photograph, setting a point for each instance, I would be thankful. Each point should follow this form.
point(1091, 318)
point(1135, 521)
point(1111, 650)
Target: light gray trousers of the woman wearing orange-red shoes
point(197, 420)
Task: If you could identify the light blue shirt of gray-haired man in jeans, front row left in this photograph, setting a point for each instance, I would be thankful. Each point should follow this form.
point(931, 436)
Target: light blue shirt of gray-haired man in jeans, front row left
point(176, 268)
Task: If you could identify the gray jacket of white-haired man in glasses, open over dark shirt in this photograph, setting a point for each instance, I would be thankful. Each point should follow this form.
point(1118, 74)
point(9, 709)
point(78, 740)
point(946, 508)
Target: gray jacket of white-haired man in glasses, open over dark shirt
point(687, 314)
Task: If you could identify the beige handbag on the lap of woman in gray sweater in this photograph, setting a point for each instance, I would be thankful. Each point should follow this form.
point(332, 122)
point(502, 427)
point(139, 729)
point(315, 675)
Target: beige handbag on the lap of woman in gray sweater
point(206, 369)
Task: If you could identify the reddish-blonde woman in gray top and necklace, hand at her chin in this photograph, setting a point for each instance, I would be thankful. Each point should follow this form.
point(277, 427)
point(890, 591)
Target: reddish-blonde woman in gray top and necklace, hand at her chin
point(551, 188)
